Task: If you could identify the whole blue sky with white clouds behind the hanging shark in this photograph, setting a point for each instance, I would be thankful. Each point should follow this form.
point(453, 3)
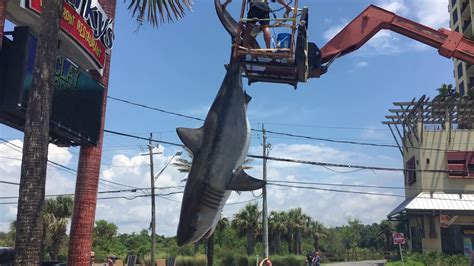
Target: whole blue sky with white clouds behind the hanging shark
point(179, 67)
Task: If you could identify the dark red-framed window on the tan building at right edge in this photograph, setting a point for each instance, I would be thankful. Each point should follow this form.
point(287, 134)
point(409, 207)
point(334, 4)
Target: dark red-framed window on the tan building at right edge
point(460, 164)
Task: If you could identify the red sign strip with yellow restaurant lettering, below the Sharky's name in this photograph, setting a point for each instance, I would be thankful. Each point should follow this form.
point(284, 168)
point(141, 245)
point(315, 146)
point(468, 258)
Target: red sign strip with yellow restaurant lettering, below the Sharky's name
point(78, 29)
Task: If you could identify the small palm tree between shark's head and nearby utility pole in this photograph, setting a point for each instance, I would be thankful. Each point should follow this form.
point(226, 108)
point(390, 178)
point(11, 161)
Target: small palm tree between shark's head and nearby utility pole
point(247, 220)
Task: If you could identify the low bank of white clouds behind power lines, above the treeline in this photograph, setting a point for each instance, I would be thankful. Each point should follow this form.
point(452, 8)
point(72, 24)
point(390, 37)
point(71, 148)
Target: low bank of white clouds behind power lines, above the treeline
point(133, 215)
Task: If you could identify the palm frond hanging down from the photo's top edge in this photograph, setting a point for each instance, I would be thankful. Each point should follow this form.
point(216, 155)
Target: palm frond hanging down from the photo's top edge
point(157, 12)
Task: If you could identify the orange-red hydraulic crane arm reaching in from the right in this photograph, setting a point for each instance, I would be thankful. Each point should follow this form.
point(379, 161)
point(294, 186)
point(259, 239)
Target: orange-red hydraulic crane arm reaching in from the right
point(373, 19)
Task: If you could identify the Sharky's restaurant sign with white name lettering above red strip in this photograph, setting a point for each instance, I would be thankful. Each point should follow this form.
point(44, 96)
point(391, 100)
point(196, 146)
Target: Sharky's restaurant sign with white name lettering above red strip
point(86, 23)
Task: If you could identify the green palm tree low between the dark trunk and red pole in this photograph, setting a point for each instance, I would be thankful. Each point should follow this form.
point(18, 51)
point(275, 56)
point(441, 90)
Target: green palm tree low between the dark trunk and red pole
point(57, 213)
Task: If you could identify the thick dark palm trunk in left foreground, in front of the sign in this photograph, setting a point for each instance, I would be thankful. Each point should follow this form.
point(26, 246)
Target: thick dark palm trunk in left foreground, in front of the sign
point(29, 231)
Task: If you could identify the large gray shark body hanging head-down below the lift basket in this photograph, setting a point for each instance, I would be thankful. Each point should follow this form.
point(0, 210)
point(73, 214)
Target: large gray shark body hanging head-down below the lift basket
point(219, 147)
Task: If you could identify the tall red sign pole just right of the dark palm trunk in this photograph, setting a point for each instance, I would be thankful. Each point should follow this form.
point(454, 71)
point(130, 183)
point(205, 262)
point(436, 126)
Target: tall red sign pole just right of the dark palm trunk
point(87, 182)
